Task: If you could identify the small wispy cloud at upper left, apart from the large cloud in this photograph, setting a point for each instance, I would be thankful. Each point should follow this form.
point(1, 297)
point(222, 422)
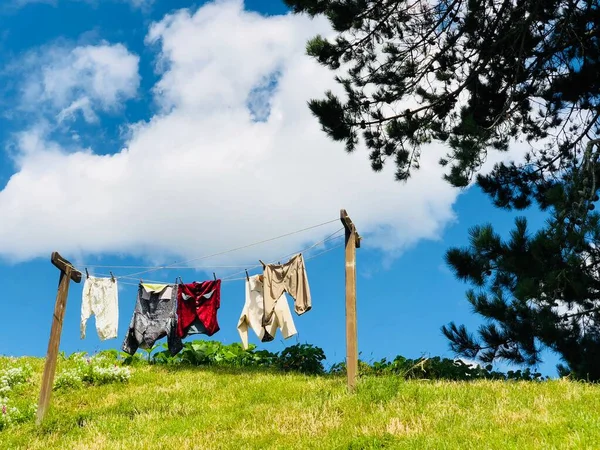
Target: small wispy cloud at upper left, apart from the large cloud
point(64, 81)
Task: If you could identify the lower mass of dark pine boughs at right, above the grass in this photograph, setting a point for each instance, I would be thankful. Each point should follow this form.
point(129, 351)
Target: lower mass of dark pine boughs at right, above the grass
point(537, 291)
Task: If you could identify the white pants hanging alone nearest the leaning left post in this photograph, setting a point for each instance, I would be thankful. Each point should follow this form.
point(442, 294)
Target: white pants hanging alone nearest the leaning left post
point(100, 297)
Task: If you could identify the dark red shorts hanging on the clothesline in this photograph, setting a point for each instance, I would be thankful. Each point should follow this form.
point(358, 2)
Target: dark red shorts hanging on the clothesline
point(198, 301)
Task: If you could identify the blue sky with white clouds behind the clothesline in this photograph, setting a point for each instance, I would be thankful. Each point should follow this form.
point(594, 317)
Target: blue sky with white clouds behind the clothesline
point(143, 133)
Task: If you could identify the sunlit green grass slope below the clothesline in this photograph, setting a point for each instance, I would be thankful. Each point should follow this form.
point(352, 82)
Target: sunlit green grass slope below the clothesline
point(217, 408)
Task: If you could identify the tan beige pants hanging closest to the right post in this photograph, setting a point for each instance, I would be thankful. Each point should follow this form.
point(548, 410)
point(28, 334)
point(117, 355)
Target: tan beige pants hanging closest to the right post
point(291, 278)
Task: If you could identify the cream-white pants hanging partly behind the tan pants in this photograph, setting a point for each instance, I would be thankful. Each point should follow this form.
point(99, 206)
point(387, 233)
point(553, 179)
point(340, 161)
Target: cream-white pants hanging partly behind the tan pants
point(252, 314)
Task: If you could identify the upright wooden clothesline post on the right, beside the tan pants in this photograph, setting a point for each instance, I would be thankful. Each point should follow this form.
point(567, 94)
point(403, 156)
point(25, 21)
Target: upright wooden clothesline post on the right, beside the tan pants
point(352, 243)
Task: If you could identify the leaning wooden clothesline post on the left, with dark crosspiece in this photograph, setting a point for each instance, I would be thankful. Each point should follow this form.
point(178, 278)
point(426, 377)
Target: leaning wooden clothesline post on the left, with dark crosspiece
point(67, 273)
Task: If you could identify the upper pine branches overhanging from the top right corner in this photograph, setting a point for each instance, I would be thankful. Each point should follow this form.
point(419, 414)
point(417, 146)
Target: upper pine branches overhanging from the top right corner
point(474, 74)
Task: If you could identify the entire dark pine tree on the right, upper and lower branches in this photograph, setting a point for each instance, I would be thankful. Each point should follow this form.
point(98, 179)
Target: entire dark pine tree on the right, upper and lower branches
point(478, 75)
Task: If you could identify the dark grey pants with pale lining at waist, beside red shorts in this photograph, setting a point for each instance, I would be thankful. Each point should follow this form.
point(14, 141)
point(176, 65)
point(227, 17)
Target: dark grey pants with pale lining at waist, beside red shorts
point(154, 318)
